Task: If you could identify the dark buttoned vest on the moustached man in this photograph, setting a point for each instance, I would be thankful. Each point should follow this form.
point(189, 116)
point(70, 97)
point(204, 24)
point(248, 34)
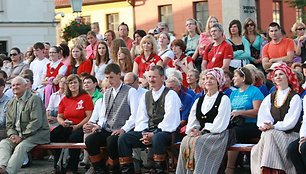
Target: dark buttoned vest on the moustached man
point(155, 109)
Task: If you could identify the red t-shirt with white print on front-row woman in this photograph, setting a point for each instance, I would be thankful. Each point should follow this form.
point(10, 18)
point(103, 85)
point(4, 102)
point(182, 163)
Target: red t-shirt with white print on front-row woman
point(74, 108)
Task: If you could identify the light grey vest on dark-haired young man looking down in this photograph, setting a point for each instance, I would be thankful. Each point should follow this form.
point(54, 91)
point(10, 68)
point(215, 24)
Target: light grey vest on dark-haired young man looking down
point(117, 109)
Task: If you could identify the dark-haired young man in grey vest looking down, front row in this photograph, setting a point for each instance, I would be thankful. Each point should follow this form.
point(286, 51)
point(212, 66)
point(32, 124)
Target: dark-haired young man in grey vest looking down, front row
point(118, 105)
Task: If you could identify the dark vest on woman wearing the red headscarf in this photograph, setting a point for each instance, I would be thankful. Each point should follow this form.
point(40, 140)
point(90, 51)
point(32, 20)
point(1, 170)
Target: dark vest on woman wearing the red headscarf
point(278, 114)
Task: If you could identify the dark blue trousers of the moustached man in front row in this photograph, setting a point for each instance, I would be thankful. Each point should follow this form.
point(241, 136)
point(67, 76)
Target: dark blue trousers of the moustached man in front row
point(130, 140)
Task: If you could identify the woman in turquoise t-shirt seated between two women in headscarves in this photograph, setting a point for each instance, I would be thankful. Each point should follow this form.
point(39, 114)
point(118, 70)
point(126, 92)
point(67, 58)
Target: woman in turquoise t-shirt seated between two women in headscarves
point(245, 103)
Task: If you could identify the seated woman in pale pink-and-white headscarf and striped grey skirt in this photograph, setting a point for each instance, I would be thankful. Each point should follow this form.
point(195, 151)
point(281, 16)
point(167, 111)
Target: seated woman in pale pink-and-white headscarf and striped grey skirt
point(207, 134)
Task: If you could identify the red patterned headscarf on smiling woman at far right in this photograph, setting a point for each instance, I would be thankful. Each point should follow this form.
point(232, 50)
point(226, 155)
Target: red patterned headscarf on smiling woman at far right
point(292, 79)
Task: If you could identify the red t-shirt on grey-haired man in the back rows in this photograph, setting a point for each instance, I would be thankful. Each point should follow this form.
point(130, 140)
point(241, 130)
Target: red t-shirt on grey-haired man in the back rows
point(216, 54)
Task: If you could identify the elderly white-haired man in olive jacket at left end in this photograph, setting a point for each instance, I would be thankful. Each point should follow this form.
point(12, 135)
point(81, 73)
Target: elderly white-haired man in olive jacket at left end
point(27, 126)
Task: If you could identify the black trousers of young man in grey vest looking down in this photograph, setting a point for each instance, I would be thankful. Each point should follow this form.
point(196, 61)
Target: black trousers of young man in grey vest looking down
point(100, 139)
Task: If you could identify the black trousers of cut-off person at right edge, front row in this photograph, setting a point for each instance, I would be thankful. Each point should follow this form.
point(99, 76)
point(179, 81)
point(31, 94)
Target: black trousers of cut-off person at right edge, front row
point(298, 159)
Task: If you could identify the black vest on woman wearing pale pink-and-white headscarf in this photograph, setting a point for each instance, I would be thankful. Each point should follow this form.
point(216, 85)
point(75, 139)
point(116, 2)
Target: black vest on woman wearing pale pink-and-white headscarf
point(211, 114)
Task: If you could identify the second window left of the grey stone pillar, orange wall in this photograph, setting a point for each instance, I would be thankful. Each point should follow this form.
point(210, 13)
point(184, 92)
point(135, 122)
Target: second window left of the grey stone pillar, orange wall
point(165, 15)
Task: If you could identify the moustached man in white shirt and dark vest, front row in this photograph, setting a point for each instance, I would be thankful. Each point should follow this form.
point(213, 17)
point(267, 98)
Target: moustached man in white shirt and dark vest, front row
point(157, 117)
